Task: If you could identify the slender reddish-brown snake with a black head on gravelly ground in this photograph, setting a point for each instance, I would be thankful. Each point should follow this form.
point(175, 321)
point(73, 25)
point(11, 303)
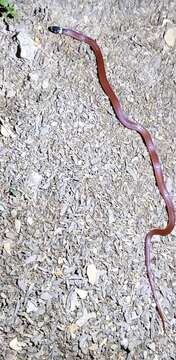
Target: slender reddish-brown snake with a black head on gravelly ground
point(147, 139)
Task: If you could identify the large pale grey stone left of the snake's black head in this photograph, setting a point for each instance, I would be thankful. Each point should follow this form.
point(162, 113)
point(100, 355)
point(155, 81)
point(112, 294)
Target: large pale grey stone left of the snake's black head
point(26, 45)
